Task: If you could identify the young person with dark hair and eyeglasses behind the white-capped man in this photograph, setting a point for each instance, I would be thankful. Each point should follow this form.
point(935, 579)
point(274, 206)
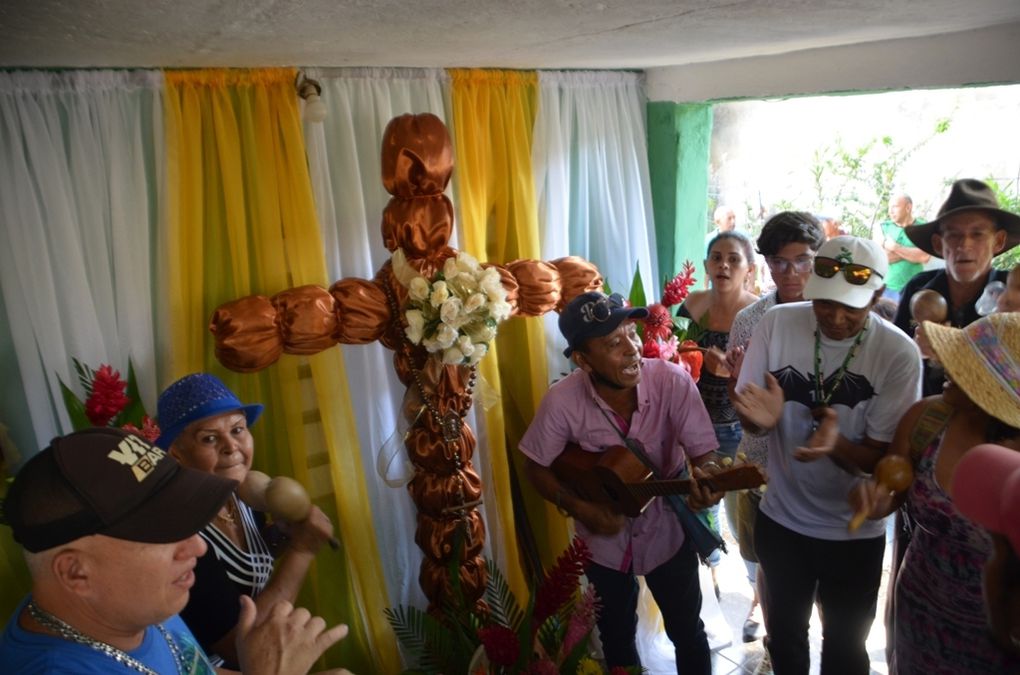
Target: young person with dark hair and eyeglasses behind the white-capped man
point(788, 242)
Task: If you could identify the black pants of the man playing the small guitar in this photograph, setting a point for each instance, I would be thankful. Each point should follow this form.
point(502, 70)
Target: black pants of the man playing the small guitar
point(677, 590)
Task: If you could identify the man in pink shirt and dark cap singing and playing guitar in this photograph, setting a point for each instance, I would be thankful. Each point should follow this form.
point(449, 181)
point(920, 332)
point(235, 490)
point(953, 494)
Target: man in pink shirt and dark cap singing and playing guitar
point(616, 398)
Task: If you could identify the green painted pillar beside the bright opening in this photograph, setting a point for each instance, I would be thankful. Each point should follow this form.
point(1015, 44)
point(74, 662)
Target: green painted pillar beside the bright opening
point(679, 145)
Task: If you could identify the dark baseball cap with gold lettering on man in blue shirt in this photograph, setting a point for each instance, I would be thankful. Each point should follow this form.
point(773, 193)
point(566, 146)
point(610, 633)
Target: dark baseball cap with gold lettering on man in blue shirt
point(106, 481)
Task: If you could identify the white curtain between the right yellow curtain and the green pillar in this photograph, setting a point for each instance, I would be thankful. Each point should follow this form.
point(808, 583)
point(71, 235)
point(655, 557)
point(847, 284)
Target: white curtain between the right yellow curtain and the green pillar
point(591, 169)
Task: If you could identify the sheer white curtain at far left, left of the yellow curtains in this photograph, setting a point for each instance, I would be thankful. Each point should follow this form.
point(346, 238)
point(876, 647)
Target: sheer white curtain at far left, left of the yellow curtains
point(79, 155)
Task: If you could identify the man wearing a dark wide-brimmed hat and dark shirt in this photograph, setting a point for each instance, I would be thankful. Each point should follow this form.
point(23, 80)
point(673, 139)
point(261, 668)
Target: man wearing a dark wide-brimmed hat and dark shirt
point(970, 232)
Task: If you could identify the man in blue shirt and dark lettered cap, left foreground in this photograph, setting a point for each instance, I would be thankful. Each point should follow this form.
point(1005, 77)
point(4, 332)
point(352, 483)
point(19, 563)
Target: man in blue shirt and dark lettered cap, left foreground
point(110, 526)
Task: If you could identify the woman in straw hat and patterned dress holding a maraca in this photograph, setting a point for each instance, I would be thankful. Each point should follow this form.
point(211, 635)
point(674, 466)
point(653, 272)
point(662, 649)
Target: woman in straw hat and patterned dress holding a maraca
point(939, 607)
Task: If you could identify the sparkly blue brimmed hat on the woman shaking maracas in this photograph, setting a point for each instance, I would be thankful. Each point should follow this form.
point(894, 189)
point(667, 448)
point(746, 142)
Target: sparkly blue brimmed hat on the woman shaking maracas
point(197, 397)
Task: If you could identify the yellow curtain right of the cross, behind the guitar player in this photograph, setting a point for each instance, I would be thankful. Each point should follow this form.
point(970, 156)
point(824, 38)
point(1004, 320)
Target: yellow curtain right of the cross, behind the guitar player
point(493, 122)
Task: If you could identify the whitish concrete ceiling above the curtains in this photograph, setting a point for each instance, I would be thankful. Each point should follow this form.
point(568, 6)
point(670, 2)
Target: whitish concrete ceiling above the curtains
point(515, 34)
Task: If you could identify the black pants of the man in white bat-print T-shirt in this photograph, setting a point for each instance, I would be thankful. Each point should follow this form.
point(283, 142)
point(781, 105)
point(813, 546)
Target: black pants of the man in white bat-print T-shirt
point(846, 576)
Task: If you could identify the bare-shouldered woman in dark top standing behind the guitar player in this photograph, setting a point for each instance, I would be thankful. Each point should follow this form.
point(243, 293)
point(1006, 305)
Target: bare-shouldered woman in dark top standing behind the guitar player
point(729, 265)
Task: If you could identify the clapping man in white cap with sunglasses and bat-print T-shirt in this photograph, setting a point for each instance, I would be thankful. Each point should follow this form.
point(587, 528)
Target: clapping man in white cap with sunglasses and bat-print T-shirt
point(827, 383)
